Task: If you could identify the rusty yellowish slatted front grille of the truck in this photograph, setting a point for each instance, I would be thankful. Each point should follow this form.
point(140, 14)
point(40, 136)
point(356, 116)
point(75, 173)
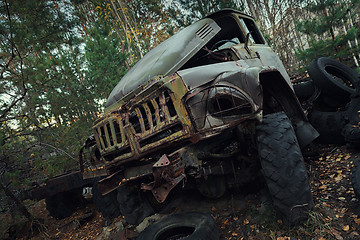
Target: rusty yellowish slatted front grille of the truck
point(149, 125)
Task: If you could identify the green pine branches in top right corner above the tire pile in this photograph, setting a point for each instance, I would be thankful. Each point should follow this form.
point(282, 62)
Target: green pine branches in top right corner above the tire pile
point(325, 30)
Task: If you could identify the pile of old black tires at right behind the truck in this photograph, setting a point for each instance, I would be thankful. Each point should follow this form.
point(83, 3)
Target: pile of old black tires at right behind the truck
point(332, 98)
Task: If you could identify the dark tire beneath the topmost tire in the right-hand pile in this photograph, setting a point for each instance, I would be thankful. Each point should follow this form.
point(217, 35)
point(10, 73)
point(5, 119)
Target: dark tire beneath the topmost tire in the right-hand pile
point(329, 125)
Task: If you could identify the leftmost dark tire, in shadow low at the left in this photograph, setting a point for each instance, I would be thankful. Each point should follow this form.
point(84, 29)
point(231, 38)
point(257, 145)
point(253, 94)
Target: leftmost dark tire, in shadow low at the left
point(63, 204)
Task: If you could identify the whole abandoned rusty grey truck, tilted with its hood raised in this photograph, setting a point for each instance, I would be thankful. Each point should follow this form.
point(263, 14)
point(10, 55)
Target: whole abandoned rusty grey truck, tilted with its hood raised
point(205, 107)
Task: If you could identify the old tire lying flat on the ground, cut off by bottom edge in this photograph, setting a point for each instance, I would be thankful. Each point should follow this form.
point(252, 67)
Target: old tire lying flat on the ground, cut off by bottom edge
point(189, 226)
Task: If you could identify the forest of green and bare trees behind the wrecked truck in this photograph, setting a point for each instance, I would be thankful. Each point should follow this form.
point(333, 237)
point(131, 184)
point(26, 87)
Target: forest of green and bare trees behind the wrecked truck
point(59, 60)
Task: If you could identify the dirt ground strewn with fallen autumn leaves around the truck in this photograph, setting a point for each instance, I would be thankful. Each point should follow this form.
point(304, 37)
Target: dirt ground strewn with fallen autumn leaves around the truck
point(245, 214)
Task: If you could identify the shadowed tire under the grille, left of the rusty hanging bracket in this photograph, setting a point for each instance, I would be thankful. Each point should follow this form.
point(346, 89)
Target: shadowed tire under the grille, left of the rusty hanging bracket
point(133, 204)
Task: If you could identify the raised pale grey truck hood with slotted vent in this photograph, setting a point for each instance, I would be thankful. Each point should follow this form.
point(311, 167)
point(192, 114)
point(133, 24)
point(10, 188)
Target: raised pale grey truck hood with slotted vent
point(166, 58)
